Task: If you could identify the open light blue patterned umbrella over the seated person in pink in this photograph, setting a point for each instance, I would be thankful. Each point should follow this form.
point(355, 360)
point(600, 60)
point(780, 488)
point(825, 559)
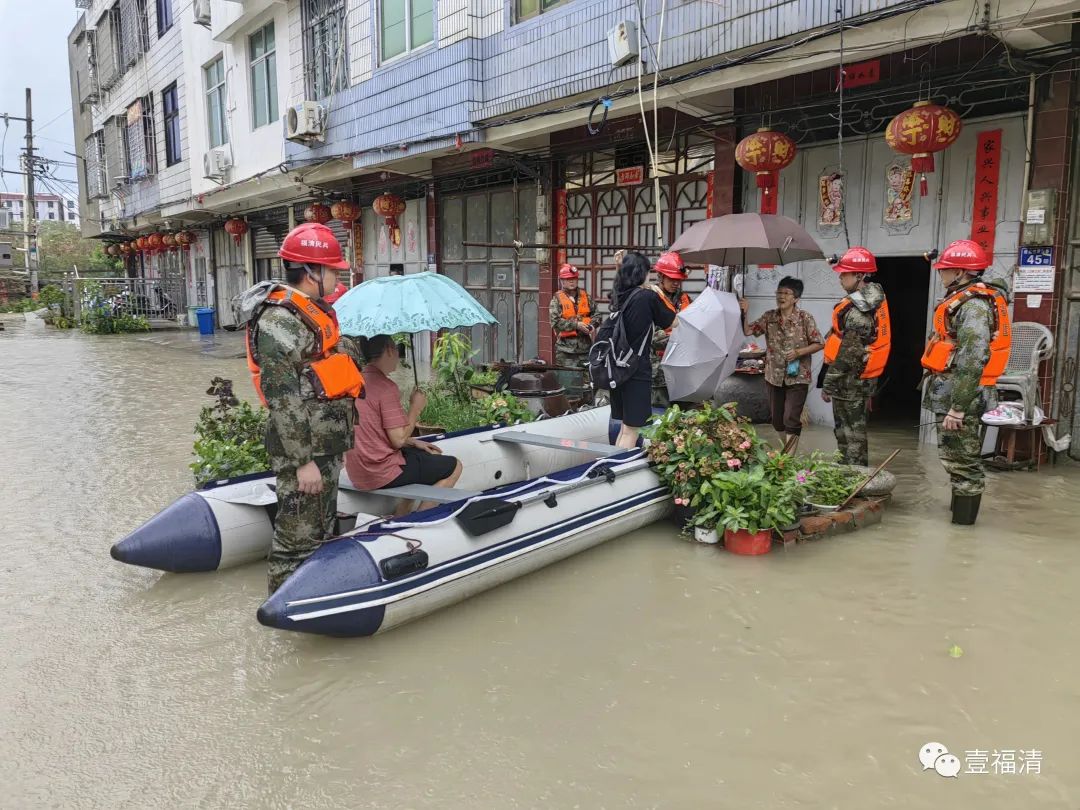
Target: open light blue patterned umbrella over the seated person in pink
point(417, 303)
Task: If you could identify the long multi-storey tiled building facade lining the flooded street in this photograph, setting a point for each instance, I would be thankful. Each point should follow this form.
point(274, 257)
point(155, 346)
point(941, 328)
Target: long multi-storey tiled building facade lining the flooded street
point(550, 125)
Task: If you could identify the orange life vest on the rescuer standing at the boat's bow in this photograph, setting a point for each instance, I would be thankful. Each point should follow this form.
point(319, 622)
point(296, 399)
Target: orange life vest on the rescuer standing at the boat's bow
point(333, 375)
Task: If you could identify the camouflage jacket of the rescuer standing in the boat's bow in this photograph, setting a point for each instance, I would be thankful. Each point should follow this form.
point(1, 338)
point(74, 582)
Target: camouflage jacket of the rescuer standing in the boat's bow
point(301, 427)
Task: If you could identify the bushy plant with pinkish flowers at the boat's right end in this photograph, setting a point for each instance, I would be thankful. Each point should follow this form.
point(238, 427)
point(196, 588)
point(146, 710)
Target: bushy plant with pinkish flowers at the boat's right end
point(688, 448)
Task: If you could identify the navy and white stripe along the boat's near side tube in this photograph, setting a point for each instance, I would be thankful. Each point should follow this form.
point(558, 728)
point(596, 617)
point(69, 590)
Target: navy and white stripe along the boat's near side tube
point(465, 566)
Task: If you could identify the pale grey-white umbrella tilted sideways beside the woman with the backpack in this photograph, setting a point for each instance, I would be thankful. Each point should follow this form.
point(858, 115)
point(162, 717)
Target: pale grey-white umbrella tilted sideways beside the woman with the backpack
point(704, 348)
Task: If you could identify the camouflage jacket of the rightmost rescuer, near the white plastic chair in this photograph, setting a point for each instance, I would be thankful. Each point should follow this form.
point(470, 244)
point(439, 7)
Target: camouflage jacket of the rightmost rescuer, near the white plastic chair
point(957, 388)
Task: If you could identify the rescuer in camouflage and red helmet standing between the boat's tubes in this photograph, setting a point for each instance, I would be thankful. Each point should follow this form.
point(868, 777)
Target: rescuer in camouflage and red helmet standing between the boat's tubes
point(306, 437)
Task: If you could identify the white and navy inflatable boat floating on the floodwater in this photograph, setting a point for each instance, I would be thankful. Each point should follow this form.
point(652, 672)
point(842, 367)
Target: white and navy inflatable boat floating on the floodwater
point(231, 523)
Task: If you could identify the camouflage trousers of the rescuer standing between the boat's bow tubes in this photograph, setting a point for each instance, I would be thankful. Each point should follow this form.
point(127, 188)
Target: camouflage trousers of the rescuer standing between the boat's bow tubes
point(304, 522)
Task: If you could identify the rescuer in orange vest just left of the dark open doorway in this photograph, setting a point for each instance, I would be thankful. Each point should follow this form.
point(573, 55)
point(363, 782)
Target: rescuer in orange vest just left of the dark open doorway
point(847, 355)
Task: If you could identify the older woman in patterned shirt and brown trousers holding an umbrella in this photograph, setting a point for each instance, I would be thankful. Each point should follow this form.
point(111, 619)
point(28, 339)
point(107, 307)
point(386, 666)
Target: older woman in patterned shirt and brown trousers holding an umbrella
point(792, 336)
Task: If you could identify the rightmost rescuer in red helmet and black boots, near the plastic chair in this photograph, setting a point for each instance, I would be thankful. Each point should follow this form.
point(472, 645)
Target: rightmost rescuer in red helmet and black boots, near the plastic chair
point(956, 395)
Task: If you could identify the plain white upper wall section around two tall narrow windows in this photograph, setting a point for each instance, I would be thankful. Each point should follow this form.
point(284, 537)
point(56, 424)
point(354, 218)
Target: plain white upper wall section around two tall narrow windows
point(254, 151)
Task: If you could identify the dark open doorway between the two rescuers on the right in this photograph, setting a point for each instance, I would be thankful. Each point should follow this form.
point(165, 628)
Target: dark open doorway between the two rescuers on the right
point(907, 283)
